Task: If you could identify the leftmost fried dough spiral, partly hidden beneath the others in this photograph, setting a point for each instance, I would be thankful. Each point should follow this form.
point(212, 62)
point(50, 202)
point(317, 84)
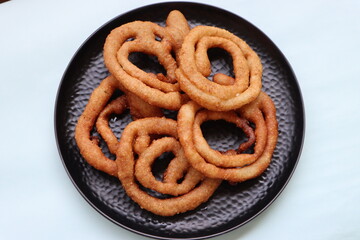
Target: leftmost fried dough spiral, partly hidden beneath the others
point(98, 111)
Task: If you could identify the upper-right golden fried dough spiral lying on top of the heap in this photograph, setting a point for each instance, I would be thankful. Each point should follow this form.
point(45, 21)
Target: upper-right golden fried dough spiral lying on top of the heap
point(194, 66)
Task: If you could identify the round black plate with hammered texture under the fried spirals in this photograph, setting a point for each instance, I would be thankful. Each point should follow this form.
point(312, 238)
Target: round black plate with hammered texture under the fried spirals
point(230, 206)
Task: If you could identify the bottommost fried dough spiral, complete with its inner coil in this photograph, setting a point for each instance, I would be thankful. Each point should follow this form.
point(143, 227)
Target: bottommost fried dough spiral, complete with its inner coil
point(127, 162)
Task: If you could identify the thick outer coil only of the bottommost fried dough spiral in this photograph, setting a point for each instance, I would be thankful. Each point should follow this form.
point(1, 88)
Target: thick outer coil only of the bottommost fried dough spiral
point(126, 171)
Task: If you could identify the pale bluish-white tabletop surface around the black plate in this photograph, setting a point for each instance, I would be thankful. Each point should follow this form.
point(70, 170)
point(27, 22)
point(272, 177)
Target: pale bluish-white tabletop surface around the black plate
point(319, 38)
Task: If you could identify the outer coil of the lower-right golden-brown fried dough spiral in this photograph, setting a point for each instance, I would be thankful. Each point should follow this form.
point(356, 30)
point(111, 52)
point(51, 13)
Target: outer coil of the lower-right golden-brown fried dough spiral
point(262, 107)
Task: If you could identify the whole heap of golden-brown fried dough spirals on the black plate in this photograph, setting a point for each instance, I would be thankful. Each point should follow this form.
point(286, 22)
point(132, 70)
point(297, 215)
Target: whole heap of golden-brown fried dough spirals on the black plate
point(196, 170)
